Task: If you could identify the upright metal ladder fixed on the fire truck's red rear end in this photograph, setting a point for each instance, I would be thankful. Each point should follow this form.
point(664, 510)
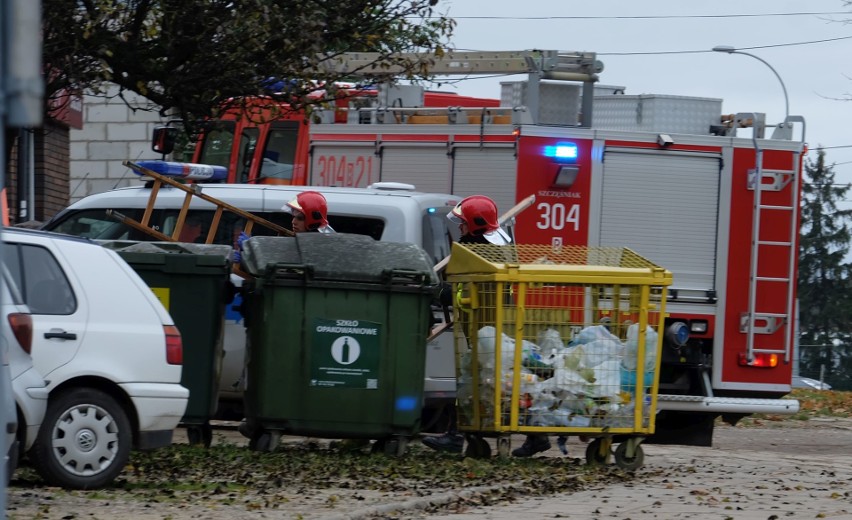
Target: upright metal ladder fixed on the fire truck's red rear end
point(755, 321)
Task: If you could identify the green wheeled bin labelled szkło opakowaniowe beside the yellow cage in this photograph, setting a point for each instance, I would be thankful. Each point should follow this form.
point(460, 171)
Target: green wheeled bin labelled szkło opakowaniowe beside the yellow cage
point(336, 347)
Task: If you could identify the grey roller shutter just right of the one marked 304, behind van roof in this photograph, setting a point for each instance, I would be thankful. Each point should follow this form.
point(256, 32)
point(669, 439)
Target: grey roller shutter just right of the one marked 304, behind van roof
point(426, 165)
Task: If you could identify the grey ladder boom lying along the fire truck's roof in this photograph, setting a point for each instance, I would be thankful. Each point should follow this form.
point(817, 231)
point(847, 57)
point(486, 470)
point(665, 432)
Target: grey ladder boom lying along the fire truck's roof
point(539, 65)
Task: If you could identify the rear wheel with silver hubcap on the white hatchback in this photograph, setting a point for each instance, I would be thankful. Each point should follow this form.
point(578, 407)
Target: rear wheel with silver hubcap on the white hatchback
point(84, 441)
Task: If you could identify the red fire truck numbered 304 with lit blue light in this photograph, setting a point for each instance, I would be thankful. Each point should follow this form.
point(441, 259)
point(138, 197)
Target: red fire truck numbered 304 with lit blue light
point(666, 176)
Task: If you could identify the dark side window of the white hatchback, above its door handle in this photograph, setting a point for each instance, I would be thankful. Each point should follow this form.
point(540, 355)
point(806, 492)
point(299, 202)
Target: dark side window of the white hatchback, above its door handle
point(42, 281)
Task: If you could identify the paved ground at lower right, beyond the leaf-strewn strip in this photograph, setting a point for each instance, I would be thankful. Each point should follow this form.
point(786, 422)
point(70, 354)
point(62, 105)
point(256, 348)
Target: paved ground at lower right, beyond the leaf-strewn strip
point(772, 472)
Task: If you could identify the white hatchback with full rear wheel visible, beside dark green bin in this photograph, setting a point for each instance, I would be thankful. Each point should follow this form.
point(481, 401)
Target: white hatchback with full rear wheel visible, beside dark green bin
point(109, 351)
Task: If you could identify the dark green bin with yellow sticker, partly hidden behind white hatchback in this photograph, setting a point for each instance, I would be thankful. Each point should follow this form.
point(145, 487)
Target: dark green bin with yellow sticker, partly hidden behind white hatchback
point(193, 283)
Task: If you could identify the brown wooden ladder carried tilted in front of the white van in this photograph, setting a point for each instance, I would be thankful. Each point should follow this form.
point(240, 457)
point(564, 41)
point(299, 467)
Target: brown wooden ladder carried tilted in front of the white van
point(191, 190)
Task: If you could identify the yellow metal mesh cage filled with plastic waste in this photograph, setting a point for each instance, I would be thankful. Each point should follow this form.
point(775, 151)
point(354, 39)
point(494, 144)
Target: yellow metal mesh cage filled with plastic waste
point(556, 340)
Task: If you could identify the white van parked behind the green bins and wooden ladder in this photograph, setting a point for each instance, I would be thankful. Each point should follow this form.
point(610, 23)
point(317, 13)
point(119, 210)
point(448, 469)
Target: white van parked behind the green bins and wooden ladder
point(391, 212)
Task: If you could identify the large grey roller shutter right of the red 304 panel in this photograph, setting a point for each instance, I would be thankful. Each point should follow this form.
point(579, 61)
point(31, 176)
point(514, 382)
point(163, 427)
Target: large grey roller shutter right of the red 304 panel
point(665, 207)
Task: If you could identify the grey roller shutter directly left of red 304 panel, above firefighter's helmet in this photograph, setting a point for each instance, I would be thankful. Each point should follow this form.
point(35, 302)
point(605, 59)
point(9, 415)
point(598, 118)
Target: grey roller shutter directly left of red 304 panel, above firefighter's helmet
point(490, 171)
